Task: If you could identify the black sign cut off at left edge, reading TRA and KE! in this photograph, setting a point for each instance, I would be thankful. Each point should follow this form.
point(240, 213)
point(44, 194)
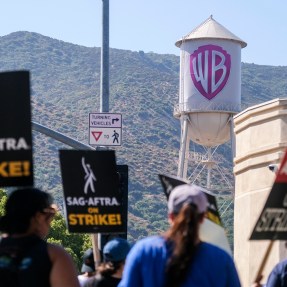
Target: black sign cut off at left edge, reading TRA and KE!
point(16, 165)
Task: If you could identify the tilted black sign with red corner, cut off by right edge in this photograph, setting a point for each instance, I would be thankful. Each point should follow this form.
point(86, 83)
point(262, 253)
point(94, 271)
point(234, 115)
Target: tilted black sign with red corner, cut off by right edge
point(272, 222)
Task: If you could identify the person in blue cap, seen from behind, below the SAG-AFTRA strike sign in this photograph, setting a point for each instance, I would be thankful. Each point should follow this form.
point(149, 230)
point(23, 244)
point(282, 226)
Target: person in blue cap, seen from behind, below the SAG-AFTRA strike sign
point(110, 271)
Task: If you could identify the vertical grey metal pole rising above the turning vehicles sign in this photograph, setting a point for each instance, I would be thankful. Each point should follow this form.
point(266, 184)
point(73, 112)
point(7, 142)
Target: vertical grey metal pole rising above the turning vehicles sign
point(104, 101)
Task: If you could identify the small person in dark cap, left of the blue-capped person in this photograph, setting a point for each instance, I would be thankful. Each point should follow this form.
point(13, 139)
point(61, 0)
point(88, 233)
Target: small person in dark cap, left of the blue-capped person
point(87, 279)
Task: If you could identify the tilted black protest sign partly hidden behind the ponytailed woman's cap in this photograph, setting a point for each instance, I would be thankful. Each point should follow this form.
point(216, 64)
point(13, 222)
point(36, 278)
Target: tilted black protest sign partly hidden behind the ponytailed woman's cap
point(170, 182)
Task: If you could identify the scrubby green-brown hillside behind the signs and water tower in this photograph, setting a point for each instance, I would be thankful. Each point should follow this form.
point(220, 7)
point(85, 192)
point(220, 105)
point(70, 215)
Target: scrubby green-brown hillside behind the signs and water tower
point(65, 88)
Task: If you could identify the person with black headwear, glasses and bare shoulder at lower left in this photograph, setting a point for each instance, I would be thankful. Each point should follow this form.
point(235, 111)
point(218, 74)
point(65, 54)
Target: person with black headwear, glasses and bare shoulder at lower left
point(26, 259)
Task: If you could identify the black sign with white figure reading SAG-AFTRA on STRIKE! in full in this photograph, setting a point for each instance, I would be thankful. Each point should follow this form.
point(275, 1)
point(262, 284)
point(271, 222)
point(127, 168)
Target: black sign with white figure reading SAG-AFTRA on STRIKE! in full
point(92, 195)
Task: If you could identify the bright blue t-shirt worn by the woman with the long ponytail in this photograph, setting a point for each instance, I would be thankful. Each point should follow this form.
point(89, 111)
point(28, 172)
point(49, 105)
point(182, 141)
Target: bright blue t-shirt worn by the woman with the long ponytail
point(145, 266)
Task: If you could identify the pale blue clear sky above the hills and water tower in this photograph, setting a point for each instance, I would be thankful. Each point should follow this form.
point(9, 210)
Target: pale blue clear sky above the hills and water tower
point(153, 25)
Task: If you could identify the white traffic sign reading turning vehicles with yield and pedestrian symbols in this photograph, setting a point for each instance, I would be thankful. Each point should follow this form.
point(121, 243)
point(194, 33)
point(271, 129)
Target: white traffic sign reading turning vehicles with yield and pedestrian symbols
point(105, 129)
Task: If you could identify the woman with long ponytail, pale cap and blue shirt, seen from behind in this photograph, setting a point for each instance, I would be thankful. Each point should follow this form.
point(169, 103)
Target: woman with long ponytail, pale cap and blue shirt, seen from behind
point(179, 258)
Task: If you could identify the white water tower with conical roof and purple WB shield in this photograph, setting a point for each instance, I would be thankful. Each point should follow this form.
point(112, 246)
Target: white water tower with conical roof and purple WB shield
point(210, 91)
